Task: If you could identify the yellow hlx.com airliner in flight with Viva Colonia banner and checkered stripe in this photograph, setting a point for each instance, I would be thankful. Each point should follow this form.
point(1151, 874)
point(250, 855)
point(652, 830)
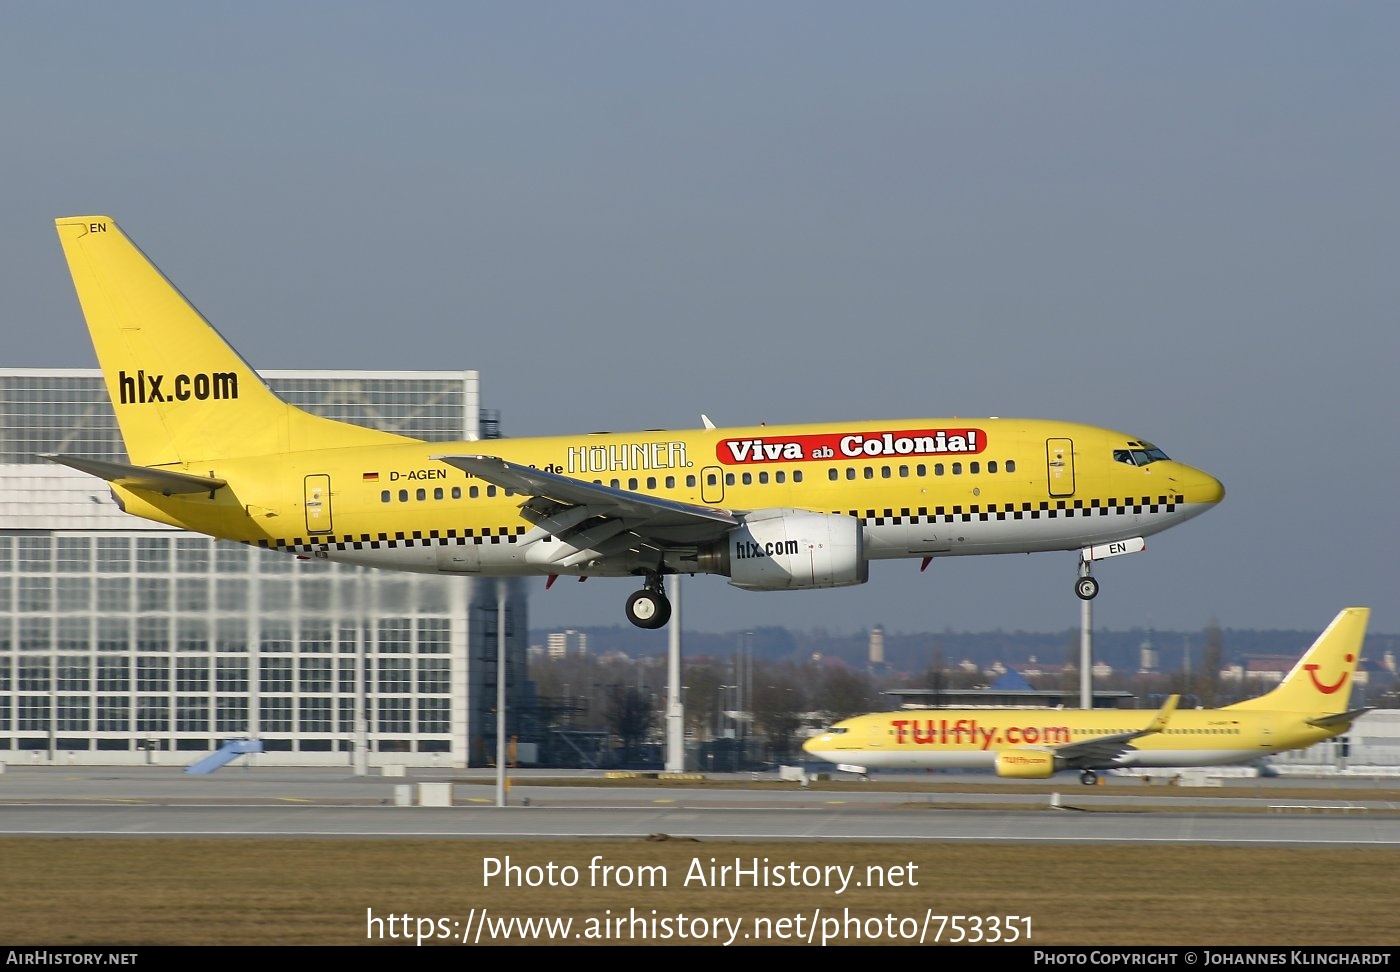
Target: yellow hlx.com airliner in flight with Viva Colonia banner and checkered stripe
point(785, 508)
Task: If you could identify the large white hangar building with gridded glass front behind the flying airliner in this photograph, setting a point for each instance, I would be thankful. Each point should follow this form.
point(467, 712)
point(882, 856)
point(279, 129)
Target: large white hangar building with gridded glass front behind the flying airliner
point(127, 642)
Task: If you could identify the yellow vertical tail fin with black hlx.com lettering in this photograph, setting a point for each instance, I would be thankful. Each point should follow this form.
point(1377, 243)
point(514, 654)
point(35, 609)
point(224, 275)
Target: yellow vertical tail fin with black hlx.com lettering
point(181, 394)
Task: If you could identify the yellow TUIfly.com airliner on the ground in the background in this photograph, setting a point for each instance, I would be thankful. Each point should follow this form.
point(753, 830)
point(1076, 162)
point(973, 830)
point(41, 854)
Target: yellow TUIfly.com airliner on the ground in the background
point(1032, 744)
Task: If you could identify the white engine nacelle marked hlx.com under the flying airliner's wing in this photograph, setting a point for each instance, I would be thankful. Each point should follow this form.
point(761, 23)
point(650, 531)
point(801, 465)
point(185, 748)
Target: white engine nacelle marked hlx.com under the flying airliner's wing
point(790, 551)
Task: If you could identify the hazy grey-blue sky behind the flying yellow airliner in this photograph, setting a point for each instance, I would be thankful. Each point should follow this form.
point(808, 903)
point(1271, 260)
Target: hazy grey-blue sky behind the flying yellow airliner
point(1177, 221)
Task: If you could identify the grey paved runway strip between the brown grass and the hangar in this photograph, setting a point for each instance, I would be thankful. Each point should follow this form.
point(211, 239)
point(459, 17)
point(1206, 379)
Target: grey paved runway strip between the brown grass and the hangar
point(279, 803)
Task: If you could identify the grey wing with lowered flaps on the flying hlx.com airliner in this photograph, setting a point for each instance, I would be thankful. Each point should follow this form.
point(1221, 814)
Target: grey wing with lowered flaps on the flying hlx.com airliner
point(591, 516)
